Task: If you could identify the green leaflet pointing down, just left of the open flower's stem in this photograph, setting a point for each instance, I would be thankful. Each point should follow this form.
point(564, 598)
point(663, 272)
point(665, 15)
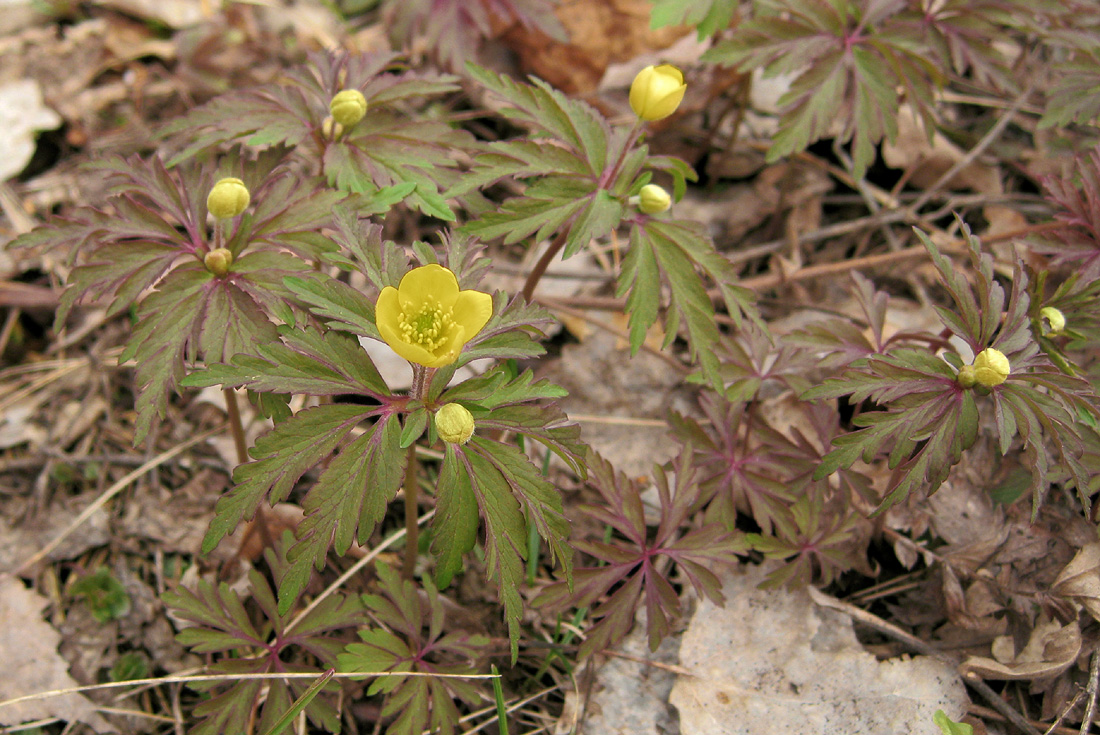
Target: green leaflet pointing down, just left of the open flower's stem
point(351, 495)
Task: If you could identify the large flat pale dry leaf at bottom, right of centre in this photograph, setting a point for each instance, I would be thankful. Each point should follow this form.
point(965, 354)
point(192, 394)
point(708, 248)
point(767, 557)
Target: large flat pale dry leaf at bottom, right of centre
point(773, 662)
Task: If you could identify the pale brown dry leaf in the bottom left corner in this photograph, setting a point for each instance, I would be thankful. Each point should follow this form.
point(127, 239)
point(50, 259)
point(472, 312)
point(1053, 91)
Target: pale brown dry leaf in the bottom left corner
point(31, 664)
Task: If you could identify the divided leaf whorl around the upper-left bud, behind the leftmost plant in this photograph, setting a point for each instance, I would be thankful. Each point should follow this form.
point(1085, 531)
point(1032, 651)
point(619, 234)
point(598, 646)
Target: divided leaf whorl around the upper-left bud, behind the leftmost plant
point(387, 149)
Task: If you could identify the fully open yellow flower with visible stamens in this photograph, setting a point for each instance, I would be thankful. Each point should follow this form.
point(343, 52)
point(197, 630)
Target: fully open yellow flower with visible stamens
point(427, 320)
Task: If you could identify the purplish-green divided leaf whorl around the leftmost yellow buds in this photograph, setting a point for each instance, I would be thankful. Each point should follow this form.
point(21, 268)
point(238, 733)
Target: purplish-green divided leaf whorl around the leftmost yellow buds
point(151, 255)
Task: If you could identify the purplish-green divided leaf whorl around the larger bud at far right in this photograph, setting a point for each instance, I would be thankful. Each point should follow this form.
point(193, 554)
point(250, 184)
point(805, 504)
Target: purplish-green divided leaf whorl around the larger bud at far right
point(929, 419)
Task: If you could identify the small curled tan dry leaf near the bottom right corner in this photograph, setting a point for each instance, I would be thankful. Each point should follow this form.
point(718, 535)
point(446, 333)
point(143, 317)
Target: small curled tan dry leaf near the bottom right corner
point(1052, 650)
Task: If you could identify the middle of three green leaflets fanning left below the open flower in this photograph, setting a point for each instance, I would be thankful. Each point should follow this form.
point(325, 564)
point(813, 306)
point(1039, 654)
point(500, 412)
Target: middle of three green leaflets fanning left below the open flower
point(282, 457)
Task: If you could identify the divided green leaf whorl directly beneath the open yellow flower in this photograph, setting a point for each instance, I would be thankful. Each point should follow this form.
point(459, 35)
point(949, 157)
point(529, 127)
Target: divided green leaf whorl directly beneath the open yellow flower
point(482, 479)
